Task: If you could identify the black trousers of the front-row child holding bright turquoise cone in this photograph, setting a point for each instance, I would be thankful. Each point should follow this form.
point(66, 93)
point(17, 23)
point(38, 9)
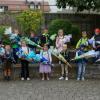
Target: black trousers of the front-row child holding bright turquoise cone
point(24, 69)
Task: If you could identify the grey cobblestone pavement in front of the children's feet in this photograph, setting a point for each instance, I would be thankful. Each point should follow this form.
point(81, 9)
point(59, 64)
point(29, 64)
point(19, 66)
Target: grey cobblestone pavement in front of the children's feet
point(50, 90)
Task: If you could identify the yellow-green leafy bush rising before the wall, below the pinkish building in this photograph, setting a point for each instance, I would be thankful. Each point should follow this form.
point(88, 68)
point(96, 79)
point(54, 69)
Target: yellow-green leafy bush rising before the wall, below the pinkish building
point(30, 20)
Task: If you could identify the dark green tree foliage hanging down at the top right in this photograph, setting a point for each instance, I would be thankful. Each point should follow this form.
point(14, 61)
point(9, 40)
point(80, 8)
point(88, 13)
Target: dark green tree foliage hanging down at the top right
point(79, 4)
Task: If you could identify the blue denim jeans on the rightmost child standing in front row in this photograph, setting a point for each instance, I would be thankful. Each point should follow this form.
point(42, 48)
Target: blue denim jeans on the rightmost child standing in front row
point(81, 70)
